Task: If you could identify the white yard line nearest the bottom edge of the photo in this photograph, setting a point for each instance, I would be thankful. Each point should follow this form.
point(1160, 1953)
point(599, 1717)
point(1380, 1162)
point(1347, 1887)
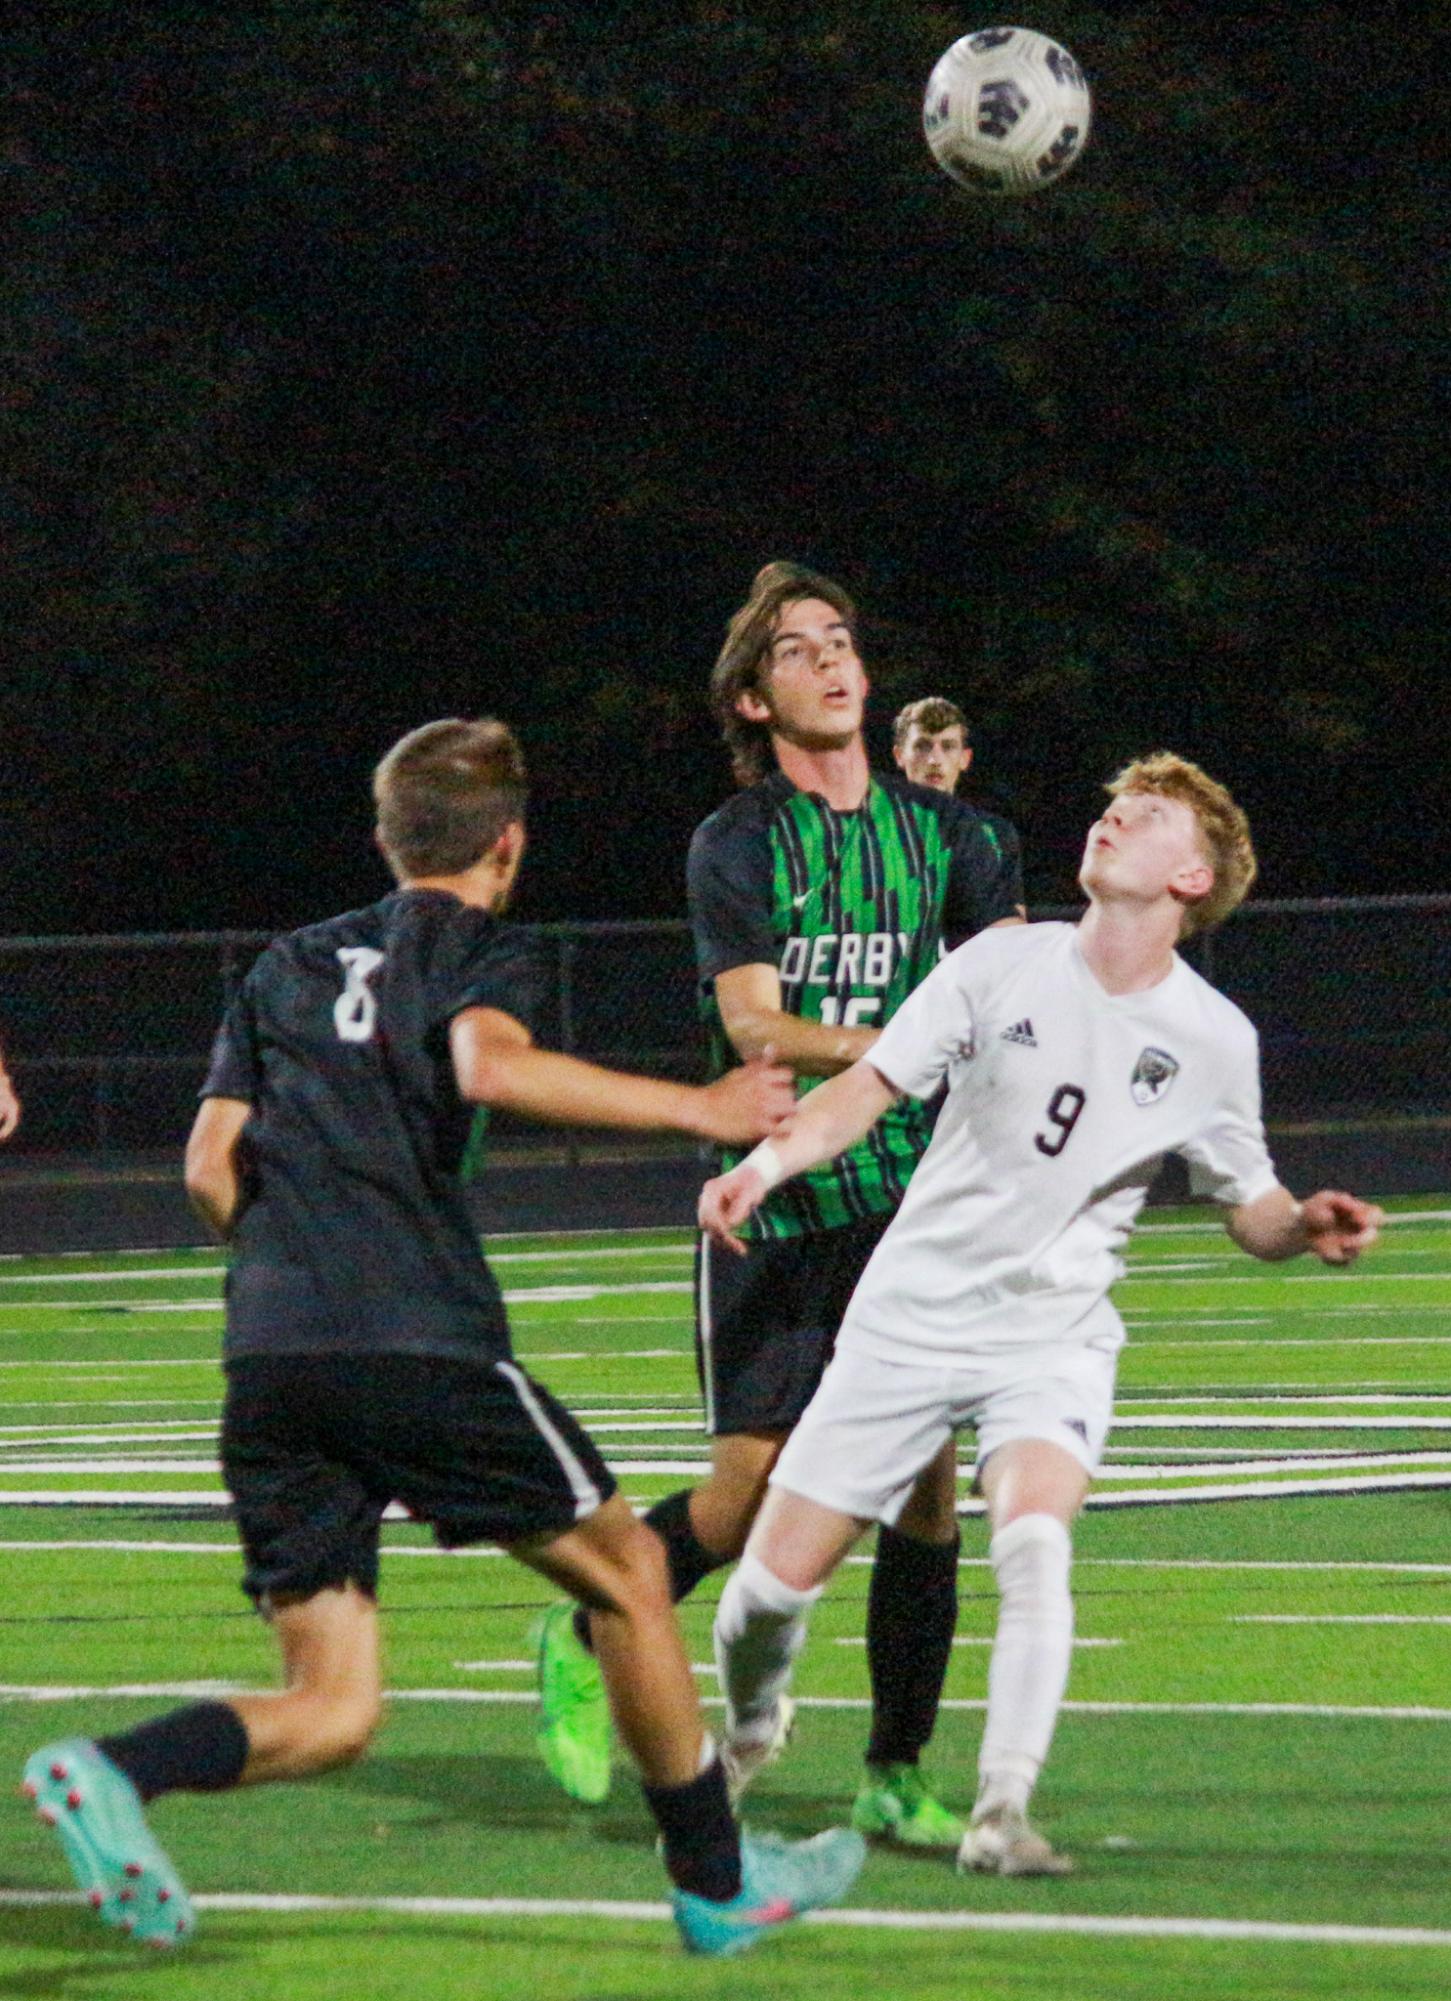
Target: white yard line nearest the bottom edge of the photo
point(1226, 1930)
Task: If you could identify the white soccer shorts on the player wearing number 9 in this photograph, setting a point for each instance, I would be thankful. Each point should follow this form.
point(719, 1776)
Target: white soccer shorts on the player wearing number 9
point(874, 1426)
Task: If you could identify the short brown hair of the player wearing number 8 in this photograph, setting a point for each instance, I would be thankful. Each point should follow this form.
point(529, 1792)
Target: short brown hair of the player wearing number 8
point(445, 795)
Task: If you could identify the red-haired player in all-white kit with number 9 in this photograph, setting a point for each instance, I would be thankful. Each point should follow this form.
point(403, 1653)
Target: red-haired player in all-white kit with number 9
point(1076, 1058)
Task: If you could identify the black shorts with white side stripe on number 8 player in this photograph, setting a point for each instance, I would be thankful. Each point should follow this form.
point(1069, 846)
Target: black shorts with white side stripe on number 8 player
point(317, 1446)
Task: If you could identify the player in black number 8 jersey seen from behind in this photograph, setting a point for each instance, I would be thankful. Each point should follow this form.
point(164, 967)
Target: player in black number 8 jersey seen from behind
point(367, 1358)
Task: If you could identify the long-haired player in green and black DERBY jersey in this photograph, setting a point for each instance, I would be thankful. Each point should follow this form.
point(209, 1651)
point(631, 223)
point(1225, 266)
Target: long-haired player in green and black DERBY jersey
point(822, 895)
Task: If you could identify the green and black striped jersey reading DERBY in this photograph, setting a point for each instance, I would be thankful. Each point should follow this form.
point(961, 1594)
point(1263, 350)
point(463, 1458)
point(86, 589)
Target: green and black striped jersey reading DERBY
point(854, 909)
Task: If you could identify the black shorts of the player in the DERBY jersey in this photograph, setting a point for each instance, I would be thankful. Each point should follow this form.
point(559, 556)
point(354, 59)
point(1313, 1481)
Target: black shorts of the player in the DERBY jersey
point(766, 1324)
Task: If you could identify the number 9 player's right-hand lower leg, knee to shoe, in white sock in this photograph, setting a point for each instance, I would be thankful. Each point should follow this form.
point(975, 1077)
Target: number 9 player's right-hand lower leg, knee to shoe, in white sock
point(1034, 1492)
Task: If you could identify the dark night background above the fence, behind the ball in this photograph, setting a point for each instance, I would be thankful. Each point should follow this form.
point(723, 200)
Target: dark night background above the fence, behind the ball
point(367, 363)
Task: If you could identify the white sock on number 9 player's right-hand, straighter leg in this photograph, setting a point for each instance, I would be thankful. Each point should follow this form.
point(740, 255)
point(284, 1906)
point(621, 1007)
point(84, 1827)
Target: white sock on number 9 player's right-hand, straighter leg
point(1032, 1654)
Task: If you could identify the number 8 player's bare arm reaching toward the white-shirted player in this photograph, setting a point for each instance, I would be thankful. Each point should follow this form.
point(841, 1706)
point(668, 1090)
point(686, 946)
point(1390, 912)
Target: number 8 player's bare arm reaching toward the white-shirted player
point(497, 1066)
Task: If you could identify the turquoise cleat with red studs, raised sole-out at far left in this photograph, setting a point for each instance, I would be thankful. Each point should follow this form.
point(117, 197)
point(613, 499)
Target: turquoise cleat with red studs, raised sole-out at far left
point(97, 1816)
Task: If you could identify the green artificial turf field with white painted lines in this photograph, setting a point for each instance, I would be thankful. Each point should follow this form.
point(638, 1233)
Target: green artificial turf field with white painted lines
point(1250, 1772)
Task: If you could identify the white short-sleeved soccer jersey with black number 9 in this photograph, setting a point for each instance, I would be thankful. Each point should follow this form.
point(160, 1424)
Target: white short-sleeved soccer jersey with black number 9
point(1062, 1104)
